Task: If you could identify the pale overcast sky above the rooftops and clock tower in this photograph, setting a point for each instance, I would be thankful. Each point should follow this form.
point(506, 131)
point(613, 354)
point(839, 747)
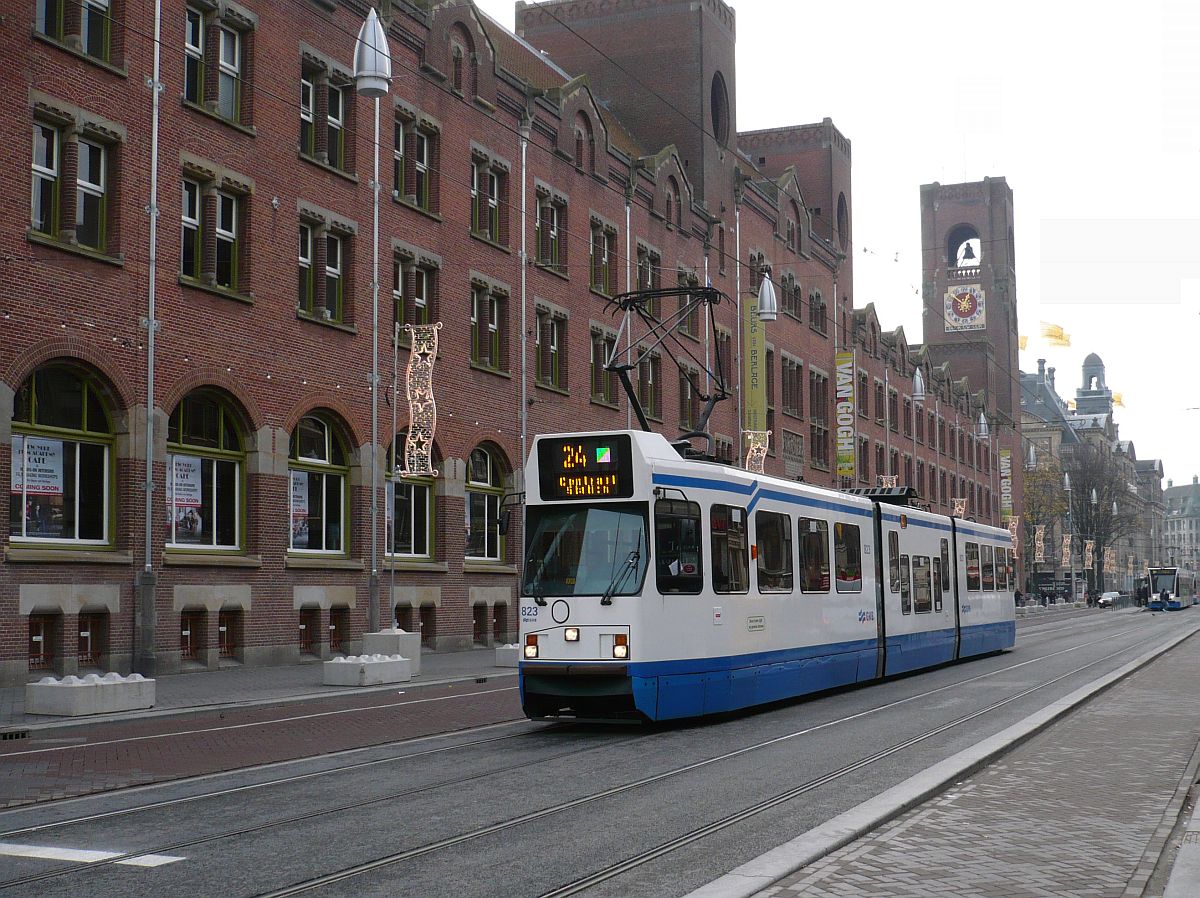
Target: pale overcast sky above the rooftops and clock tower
point(1090, 109)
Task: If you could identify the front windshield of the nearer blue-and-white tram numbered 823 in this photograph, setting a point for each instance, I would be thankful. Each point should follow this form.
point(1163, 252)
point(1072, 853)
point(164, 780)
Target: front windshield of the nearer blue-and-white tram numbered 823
point(586, 550)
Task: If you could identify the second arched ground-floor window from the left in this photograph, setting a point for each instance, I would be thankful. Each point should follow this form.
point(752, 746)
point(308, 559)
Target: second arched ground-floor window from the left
point(206, 468)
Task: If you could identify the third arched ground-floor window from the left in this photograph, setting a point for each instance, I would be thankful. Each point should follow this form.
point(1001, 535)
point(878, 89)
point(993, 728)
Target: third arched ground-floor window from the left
point(319, 472)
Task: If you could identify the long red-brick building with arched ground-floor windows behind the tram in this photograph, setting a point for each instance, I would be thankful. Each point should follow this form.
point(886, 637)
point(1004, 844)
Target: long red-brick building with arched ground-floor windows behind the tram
point(521, 190)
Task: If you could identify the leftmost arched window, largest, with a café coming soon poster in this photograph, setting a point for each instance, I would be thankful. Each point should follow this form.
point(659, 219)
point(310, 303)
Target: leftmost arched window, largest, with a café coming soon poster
point(62, 460)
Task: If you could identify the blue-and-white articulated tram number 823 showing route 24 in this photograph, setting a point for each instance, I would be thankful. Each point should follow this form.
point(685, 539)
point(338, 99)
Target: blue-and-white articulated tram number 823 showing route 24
point(658, 588)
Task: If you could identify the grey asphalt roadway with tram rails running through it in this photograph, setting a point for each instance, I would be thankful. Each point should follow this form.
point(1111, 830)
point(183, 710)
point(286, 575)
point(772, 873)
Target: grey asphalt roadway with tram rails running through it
point(526, 810)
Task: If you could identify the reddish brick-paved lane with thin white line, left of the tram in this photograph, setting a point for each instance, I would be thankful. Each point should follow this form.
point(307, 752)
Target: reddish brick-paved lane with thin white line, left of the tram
point(69, 762)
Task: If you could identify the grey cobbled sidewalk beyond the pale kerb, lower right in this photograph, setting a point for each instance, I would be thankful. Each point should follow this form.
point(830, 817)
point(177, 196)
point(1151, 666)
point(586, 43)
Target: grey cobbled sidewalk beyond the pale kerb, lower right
point(1082, 811)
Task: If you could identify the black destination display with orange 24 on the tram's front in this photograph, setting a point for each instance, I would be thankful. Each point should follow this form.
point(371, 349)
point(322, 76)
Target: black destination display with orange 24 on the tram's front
point(586, 468)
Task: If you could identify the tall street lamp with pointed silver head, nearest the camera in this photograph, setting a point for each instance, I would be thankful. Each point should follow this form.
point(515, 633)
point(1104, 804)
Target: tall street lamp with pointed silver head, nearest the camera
point(373, 74)
